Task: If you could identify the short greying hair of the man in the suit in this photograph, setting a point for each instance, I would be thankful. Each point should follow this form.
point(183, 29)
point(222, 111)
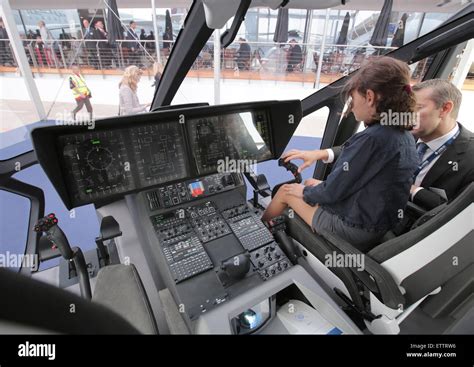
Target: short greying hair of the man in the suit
point(442, 91)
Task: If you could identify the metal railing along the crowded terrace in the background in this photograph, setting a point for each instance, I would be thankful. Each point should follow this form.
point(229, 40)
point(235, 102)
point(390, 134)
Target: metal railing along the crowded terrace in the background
point(267, 58)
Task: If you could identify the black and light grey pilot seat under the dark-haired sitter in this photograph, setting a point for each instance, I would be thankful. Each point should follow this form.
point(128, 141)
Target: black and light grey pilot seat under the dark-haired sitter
point(426, 274)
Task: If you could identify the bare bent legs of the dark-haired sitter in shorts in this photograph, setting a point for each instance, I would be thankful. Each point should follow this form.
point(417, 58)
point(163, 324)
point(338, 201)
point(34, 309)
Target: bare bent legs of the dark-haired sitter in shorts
point(282, 200)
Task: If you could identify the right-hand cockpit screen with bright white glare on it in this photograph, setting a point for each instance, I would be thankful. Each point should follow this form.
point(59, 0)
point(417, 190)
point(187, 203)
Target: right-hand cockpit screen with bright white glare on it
point(239, 136)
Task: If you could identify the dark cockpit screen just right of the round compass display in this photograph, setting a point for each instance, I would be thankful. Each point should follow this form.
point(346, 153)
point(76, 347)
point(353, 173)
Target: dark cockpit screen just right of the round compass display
point(159, 153)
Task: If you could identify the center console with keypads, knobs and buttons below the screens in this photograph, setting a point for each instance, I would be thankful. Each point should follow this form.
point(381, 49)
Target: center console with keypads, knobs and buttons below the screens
point(212, 241)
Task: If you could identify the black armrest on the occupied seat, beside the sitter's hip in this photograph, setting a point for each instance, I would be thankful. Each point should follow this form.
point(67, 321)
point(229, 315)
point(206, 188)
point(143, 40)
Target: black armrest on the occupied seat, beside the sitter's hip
point(374, 276)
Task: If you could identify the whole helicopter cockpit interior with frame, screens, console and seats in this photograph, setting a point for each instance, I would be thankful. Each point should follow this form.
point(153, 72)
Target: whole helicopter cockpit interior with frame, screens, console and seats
point(182, 248)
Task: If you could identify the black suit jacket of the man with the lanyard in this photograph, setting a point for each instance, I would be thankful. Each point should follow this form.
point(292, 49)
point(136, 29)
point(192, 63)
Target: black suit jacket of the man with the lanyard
point(452, 172)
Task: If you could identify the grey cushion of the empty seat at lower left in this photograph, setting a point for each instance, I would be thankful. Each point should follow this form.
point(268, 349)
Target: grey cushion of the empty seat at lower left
point(120, 288)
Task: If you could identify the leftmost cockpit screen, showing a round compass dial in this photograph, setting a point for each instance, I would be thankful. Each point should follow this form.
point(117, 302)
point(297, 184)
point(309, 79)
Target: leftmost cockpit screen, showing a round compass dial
point(96, 164)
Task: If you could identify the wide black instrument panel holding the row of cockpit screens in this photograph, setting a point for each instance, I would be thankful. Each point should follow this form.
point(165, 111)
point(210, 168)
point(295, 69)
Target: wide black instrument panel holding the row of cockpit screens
point(131, 153)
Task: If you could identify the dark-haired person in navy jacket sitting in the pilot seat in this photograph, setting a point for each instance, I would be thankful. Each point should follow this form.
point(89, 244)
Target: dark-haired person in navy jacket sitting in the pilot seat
point(367, 190)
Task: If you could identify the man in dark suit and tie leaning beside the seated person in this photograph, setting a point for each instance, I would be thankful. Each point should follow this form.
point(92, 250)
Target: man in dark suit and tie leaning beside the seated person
point(445, 146)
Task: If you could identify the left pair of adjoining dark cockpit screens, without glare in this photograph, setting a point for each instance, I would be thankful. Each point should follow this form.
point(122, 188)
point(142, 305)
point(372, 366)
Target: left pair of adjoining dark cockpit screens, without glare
point(104, 163)
